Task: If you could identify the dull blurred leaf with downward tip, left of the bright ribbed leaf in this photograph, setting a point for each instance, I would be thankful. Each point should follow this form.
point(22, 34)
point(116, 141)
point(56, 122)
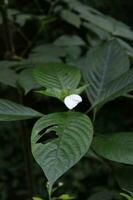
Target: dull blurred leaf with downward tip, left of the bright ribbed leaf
point(26, 81)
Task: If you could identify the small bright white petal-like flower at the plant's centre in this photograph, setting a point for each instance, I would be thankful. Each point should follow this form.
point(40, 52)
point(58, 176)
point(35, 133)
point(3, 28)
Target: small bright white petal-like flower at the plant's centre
point(72, 101)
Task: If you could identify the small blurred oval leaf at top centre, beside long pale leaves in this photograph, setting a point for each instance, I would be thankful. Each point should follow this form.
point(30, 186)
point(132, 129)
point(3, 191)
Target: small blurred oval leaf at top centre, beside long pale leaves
point(71, 18)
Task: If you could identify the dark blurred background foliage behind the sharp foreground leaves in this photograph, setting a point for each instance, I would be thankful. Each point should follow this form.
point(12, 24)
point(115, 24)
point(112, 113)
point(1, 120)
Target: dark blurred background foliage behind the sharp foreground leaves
point(40, 31)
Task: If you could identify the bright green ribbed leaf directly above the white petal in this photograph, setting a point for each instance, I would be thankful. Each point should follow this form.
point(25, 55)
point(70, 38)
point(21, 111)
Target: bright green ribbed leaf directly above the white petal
point(59, 76)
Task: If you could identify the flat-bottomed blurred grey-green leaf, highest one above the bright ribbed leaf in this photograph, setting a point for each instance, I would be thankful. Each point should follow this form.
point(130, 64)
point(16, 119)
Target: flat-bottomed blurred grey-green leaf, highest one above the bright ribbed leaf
point(66, 40)
